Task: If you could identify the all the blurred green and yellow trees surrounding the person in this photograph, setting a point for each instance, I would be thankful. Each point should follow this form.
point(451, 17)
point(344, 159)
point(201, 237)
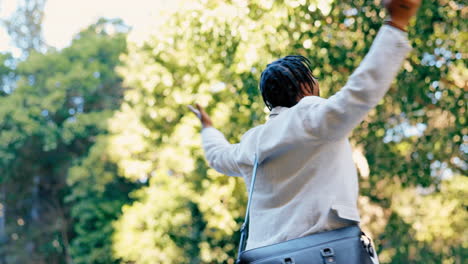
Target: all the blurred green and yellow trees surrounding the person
point(101, 161)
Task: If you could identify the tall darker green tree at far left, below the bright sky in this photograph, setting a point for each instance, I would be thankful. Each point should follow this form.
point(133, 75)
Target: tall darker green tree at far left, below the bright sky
point(48, 125)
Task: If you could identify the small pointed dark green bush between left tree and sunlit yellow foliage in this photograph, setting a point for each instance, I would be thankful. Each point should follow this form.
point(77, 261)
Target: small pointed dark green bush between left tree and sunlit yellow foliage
point(96, 197)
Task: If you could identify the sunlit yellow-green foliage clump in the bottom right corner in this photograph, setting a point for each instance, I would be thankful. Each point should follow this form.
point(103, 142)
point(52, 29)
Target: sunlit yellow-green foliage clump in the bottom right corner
point(430, 226)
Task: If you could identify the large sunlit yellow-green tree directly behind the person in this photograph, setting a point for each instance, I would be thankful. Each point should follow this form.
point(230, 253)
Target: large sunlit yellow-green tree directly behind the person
point(410, 148)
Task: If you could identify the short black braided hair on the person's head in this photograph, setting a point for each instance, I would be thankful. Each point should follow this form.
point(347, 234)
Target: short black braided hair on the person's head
point(281, 81)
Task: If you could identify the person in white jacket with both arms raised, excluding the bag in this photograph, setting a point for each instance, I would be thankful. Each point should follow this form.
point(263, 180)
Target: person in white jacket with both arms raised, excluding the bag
point(307, 182)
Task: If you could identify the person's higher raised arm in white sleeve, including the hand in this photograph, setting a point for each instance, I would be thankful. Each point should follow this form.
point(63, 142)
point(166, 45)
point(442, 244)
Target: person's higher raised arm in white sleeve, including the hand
point(338, 115)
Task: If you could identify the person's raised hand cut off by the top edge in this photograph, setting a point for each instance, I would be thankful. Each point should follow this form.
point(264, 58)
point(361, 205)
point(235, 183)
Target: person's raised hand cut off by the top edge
point(401, 11)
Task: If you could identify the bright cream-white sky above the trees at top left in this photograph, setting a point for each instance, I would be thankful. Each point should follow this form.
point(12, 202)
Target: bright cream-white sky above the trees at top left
point(64, 18)
